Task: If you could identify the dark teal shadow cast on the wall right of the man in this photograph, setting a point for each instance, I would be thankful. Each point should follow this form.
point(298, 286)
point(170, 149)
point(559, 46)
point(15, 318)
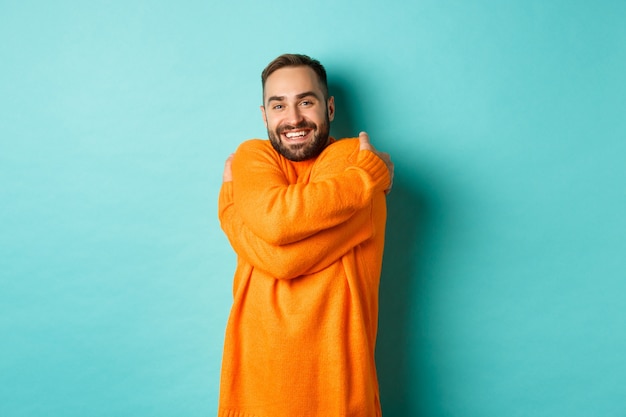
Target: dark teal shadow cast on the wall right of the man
point(407, 220)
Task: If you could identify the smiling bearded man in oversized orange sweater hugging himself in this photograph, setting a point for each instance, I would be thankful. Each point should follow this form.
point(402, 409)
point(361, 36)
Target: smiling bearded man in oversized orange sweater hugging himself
point(306, 216)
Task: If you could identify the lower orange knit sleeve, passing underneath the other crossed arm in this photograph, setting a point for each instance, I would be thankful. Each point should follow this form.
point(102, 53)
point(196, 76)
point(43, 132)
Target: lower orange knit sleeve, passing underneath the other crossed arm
point(295, 259)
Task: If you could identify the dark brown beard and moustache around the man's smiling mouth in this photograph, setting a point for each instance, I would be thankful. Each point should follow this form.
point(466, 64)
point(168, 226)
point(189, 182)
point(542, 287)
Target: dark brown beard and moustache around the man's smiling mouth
point(301, 151)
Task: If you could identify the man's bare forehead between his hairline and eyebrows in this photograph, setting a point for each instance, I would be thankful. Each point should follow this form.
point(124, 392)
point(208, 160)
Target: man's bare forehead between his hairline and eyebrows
point(291, 81)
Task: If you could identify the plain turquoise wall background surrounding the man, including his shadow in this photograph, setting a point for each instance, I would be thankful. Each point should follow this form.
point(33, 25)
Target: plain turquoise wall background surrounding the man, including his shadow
point(504, 277)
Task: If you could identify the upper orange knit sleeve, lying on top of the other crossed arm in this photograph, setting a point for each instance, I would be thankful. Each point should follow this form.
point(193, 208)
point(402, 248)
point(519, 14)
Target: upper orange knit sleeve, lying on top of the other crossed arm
point(280, 212)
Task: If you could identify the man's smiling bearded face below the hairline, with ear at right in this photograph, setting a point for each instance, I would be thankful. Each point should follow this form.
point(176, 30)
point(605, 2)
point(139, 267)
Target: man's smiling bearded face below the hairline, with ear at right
point(296, 114)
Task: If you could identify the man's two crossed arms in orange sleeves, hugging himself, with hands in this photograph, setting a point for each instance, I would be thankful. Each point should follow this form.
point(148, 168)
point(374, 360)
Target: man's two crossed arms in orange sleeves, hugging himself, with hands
point(289, 230)
